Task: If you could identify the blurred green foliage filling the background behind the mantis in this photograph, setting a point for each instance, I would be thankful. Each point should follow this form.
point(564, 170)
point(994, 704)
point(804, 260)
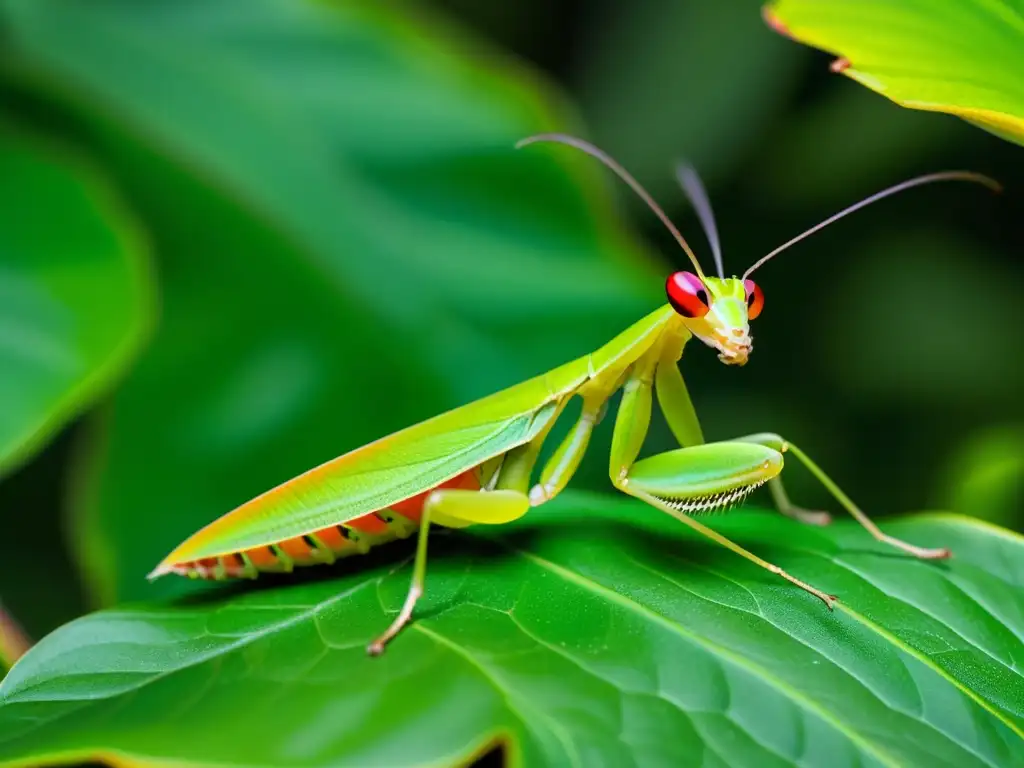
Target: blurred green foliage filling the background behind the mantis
point(345, 242)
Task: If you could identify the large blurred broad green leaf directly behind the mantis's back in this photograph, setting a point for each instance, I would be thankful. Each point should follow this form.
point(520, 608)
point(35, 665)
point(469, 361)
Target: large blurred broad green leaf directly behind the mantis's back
point(350, 243)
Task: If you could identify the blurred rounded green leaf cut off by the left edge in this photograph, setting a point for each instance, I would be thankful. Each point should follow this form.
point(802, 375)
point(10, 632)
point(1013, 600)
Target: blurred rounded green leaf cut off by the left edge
point(74, 293)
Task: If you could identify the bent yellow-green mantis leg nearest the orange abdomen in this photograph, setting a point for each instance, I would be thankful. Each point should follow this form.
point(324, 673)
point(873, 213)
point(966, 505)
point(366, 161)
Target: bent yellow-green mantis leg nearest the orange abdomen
point(450, 506)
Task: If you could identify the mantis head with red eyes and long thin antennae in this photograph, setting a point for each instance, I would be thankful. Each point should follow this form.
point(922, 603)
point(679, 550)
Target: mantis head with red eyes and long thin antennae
point(719, 311)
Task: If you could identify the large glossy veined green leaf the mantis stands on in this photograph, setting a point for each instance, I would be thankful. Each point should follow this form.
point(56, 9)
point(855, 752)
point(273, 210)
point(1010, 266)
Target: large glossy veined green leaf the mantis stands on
point(593, 632)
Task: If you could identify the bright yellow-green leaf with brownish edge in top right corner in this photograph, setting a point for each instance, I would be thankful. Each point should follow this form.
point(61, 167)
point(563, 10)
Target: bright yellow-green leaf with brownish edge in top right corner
point(961, 58)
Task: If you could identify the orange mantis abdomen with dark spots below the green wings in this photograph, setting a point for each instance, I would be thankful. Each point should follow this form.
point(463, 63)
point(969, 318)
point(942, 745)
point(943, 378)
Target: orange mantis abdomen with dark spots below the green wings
point(327, 545)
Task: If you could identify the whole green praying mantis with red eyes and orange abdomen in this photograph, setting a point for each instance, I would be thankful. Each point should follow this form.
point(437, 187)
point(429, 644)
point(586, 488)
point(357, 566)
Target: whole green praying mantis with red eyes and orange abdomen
point(477, 464)
